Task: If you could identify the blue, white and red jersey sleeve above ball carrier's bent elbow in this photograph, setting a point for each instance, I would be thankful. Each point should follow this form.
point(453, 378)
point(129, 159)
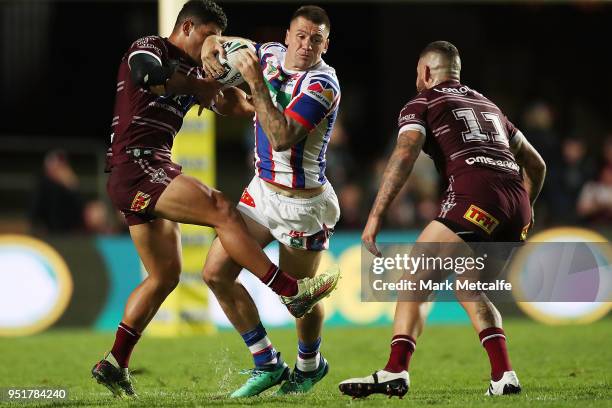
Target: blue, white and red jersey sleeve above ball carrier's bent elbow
point(318, 95)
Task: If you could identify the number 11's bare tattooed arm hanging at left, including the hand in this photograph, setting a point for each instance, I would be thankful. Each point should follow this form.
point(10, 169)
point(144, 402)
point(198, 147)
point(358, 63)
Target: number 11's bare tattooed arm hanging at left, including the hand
point(407, 149)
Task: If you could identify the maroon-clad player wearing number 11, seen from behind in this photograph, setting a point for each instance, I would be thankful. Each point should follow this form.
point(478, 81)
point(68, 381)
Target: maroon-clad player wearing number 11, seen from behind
point(494, 177)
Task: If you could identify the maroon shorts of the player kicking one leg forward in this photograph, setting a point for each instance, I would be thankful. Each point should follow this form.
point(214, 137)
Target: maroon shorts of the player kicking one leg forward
point(135, 186)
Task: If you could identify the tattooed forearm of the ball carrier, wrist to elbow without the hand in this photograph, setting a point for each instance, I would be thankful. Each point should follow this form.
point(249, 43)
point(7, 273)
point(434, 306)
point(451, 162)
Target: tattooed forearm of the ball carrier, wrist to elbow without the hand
point(280, 130)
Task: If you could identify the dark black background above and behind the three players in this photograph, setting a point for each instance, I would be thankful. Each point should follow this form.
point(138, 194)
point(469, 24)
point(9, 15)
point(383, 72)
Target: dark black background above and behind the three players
point(60, 59)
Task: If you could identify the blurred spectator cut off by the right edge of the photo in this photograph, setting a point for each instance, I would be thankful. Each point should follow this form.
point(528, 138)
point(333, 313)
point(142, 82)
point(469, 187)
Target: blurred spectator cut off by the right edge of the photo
point(595, 202)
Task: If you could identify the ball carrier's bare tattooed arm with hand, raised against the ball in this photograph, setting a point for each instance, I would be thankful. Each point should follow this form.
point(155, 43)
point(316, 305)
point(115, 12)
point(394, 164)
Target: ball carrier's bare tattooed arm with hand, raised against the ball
point(282, 131)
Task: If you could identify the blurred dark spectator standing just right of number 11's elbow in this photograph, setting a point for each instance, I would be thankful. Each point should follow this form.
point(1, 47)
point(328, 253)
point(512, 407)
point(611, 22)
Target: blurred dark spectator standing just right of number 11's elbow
point(577, 168)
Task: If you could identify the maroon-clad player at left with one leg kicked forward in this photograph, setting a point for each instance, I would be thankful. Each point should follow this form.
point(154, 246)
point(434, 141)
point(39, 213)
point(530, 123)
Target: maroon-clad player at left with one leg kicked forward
point(159, 80)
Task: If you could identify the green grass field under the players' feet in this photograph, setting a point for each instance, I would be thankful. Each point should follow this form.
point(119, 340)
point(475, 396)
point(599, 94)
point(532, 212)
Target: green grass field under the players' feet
point(557, 366)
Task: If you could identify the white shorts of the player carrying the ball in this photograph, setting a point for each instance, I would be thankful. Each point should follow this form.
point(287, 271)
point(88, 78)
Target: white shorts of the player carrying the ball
point(304, 223)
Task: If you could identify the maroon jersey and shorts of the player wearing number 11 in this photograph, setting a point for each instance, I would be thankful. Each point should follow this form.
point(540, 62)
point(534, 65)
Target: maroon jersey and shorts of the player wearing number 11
point(468, 137)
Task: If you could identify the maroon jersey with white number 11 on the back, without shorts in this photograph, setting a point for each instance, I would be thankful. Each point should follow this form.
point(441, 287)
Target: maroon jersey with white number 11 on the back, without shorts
point(465, 132)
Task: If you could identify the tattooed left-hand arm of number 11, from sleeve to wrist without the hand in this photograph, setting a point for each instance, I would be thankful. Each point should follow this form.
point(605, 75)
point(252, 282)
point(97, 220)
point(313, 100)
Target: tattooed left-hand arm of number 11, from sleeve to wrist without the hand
point(398, 169)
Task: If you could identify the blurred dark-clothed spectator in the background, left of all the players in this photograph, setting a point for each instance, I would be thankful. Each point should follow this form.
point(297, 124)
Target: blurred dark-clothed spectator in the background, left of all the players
point(57, 206)
